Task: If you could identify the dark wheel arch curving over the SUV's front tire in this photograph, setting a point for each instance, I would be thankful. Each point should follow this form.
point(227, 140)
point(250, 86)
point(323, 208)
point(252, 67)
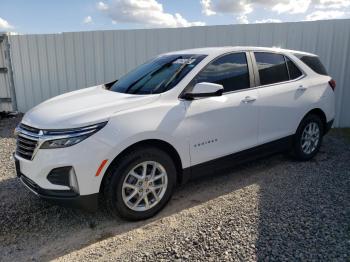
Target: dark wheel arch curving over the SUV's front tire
point(160, 144)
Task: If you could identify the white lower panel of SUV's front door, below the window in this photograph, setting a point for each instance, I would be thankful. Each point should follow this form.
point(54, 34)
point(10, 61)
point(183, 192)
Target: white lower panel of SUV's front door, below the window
point(229, 124)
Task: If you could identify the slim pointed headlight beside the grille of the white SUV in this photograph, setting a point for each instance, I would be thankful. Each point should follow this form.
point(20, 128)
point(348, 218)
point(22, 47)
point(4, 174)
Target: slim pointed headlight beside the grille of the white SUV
point(68, 137)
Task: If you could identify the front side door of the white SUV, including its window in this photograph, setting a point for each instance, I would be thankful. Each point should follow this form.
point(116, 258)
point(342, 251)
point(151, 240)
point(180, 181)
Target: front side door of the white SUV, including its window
point(220, 126)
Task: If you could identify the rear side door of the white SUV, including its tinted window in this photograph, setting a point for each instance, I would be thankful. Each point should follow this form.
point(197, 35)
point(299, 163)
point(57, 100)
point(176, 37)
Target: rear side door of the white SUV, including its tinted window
point(281, 95)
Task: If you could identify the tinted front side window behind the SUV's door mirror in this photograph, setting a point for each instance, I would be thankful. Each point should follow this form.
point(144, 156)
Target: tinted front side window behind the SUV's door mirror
point(230, 71)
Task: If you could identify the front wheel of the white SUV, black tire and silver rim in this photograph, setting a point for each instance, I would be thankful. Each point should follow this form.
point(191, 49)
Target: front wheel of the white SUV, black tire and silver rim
point(119, 178)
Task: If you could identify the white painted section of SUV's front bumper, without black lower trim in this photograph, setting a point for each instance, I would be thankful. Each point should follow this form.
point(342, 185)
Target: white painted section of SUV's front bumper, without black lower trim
point(84, 157)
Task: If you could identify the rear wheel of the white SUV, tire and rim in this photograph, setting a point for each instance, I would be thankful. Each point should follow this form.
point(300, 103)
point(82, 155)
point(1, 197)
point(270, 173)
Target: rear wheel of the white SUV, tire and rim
point(301, 150)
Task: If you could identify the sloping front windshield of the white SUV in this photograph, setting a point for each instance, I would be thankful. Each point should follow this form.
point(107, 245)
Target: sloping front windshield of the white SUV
point(157, 75)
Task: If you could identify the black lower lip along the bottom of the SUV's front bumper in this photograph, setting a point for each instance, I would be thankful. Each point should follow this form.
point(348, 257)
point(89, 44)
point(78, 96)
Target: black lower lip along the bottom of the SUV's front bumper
point(64, 198)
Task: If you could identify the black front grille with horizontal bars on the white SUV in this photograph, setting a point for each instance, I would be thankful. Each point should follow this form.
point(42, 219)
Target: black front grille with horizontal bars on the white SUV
point(27, 141)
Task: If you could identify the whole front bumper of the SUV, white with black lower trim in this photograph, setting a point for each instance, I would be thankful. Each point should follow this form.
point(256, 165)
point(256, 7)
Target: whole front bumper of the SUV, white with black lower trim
point(84, 158)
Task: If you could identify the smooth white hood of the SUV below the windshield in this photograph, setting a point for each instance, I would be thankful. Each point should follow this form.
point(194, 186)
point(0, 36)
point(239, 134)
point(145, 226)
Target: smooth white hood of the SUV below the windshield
point(82, 107)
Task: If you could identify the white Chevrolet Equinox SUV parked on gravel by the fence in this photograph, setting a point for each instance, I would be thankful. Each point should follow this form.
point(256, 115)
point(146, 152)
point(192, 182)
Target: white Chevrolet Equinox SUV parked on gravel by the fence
point(178, 115)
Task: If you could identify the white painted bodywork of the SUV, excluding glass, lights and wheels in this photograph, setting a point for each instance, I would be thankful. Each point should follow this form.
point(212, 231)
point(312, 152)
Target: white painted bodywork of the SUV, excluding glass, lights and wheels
point(199, 130)
